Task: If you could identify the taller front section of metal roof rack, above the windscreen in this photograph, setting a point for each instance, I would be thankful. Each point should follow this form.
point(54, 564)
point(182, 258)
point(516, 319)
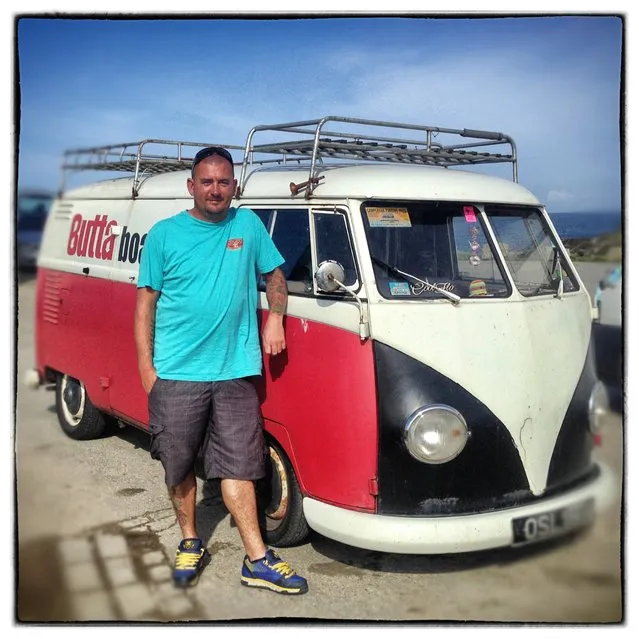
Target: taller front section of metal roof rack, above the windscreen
point(317, 144)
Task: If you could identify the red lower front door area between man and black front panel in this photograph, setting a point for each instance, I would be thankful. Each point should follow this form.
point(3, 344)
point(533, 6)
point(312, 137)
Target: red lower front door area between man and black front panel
point(322, 390)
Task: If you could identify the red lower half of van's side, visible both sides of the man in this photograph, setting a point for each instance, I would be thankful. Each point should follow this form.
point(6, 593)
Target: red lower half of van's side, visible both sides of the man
point(85, 329)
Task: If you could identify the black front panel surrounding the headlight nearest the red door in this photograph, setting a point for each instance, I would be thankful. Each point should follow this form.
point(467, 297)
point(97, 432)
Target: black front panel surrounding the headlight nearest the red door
point(488, 473)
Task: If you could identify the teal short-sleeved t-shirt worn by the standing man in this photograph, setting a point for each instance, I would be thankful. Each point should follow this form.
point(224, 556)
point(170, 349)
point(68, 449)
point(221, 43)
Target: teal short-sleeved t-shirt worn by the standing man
point(206, 315)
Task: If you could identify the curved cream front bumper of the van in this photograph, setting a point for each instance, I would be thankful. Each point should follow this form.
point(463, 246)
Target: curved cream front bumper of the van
point(455, 534)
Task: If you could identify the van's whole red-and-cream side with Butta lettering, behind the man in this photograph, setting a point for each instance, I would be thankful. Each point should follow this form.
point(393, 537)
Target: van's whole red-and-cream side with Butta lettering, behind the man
point(86, 330)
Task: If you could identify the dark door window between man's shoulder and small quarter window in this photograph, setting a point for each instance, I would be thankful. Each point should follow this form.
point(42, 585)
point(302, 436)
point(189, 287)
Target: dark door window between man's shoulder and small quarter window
point(292, 238)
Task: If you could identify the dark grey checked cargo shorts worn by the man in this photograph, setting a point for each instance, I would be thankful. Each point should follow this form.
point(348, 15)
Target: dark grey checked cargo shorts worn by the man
point(220, 419)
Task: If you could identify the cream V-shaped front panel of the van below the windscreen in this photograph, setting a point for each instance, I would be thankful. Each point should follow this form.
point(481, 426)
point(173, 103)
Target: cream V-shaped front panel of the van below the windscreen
point(509, 368)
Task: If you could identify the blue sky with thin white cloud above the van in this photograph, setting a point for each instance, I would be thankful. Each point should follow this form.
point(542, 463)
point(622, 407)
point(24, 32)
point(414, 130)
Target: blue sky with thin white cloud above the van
point(552, 83)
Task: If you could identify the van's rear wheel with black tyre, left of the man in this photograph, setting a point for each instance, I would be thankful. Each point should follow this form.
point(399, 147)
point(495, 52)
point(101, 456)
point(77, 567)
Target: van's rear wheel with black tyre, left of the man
point(79, 418)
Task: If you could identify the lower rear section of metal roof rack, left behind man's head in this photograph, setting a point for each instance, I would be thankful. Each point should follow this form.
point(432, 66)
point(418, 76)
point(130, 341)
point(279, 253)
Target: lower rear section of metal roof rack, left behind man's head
point(143, 158)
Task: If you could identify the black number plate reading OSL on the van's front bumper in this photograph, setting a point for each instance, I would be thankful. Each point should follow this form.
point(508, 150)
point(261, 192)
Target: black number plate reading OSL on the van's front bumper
point(553, 523)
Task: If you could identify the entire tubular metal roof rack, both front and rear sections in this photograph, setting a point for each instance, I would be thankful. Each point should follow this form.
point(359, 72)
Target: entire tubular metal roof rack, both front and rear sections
point(313, 145)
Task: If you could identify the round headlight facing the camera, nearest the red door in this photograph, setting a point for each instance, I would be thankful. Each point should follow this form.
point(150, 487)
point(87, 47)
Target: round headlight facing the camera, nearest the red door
point(435, 434)
